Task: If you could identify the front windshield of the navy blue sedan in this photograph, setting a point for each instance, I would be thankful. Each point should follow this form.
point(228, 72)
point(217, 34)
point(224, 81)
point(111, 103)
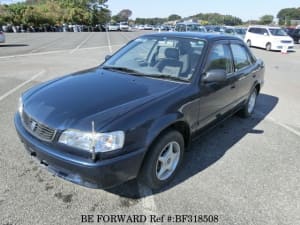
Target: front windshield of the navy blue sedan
point(158, 57)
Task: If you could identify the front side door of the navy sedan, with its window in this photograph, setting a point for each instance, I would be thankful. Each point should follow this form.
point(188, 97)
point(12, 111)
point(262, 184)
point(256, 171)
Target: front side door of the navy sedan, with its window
point(217, 97)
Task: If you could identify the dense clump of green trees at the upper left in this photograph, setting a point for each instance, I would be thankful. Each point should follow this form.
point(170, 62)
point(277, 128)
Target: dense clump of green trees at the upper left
point(55, 12)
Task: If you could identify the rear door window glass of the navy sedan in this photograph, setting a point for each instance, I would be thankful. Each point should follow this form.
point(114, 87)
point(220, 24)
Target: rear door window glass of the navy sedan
point(241, 57)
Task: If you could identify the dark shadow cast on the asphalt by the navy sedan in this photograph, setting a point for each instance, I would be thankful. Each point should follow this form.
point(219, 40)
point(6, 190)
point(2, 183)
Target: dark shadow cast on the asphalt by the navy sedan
point(208, 148)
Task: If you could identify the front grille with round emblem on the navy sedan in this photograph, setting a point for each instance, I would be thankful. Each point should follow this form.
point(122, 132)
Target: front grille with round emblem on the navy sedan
point(37, 129)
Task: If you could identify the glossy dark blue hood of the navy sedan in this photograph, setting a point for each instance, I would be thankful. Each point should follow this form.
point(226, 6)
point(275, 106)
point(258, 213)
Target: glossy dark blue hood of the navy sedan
point(95, 95)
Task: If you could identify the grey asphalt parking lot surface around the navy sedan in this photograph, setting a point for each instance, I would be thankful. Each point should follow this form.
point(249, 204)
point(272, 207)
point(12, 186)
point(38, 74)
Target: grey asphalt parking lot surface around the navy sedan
point(245, 171)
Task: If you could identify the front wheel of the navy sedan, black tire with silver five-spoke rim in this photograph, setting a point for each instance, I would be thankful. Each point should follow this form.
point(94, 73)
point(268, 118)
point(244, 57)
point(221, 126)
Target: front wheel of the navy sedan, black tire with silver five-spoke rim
point(163, 160)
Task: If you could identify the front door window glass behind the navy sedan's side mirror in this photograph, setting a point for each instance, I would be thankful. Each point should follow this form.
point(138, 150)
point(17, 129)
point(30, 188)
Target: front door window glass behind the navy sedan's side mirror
point(220, 58)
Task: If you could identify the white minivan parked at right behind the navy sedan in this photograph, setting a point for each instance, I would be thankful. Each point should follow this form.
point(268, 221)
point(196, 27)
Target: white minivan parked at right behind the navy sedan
point(270, 38)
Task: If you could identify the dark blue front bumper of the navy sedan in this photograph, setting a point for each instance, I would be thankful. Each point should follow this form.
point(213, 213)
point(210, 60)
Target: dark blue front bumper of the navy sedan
point(100, 174)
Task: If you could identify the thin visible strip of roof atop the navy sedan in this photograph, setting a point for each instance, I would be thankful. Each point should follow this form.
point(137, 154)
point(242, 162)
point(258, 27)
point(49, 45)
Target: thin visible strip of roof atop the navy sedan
point(197, 35)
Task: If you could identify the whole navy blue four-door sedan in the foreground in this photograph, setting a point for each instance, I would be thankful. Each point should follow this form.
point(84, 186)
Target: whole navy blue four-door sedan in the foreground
point(138, 112)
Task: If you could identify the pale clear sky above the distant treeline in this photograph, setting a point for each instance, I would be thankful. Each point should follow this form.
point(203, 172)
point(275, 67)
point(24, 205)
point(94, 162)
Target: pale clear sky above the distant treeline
point(245, 10)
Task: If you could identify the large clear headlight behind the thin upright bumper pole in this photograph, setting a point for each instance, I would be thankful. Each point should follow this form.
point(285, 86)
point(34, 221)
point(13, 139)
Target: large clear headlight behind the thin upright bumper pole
point(101, 142)
